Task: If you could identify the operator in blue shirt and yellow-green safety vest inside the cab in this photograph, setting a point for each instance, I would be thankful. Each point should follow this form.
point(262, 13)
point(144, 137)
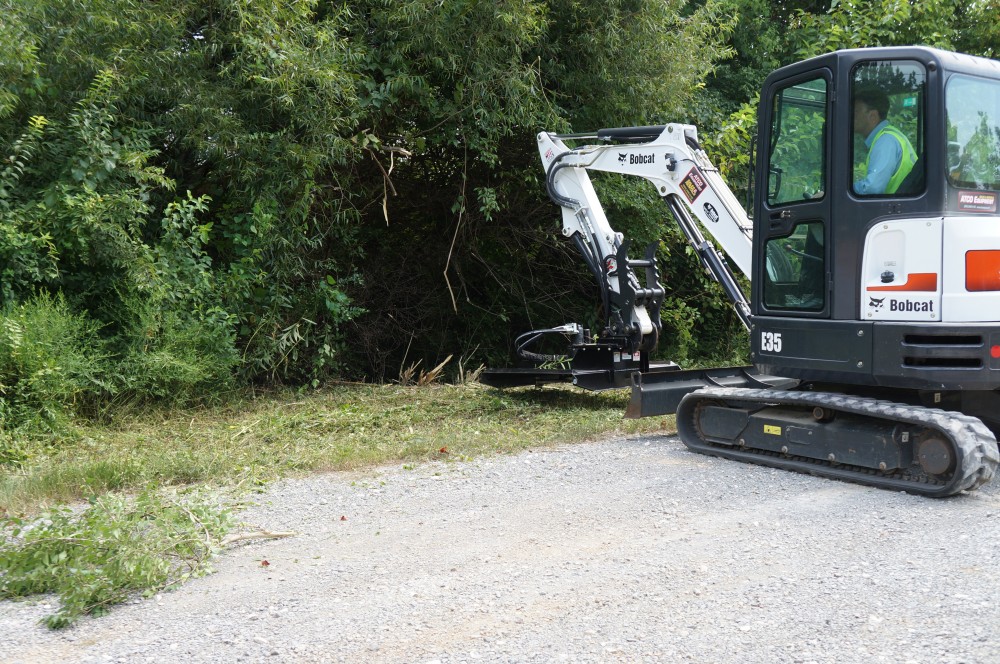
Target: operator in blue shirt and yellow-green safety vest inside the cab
point(890, 155)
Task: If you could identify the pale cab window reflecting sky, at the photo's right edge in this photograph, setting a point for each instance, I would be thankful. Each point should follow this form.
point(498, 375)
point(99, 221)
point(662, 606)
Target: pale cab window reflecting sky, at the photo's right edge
point(973, 108)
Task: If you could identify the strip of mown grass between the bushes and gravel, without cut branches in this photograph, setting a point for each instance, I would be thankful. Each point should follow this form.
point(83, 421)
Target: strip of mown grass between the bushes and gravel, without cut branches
point(258, 439)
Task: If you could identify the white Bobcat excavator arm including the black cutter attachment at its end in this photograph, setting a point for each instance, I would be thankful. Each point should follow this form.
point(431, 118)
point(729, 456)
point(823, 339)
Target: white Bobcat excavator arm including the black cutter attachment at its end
point(670, 158)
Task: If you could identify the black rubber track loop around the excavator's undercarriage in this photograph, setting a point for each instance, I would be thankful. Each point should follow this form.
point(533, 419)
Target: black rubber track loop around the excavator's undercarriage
point(977, 447)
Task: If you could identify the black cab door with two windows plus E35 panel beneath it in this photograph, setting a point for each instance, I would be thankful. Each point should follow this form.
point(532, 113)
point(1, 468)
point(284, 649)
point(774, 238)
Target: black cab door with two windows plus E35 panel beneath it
point(792, 332)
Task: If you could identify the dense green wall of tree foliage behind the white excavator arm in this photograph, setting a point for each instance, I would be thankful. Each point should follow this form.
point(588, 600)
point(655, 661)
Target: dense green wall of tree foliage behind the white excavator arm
point(228, 191)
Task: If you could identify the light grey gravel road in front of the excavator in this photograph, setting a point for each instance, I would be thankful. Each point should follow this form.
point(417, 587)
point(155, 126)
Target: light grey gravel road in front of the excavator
point(620, 550)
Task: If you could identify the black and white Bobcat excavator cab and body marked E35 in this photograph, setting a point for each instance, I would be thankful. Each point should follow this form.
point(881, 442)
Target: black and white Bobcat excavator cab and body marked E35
point(891, 263)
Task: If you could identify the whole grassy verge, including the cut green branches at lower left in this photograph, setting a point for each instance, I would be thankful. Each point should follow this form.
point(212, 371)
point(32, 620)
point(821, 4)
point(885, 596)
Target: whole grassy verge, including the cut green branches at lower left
point(160, 487)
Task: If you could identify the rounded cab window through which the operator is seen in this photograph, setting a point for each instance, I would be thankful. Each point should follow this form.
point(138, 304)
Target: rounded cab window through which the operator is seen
point(887, 102)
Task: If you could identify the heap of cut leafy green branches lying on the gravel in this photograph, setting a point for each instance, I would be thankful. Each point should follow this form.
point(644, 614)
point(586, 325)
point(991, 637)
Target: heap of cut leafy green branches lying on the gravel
point(114, 548)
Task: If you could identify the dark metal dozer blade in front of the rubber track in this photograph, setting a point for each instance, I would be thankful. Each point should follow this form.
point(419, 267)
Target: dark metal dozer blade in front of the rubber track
point(659, 393)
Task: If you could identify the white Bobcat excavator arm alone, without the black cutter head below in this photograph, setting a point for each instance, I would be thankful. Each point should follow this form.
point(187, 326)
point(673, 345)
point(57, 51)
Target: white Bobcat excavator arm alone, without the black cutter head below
point(670, 158)
